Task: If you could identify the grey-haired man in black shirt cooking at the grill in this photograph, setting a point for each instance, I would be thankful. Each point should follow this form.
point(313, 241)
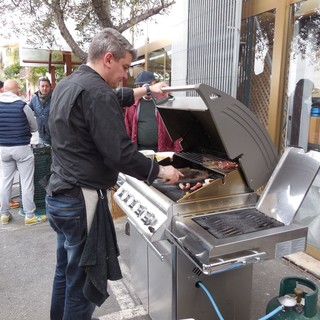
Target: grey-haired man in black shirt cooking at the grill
point(90, 146)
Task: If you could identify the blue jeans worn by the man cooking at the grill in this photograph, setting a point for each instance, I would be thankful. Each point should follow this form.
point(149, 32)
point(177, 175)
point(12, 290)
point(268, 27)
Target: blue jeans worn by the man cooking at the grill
point(66, 215)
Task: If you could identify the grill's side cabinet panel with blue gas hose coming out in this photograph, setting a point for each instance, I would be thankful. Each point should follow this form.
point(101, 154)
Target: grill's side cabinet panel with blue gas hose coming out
point(231, 291)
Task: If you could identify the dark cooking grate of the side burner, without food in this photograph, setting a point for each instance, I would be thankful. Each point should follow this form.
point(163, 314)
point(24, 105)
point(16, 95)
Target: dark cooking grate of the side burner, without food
point(235, 223)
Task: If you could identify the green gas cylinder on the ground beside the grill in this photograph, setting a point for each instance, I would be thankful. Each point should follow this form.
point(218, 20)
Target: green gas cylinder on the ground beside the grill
point(298, 302)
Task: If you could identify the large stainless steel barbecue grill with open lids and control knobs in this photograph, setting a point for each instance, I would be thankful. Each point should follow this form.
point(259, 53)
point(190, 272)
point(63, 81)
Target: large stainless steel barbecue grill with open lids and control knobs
point(180, 235)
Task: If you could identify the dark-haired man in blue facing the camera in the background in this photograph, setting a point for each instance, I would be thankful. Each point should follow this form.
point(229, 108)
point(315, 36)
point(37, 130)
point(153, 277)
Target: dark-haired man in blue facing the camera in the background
point(40, 104)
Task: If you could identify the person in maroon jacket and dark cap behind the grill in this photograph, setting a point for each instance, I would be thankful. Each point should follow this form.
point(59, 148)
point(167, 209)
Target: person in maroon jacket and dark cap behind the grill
point(143, 121)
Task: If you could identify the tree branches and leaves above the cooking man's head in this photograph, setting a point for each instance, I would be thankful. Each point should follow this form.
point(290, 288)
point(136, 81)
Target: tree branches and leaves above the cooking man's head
point(76, 20)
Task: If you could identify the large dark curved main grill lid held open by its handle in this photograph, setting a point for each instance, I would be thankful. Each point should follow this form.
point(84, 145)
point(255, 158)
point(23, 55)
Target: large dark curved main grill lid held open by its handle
point(216, 122)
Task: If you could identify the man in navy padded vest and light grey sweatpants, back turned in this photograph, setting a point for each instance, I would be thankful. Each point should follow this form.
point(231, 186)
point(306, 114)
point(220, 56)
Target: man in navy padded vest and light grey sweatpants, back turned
point(16, 124)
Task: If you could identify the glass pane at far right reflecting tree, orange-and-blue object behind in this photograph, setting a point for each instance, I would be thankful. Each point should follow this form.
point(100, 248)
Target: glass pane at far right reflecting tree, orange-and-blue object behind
point(302, 96)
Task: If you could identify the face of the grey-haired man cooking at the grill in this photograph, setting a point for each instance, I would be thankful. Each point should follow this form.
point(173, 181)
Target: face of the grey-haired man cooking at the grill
point(118, 70)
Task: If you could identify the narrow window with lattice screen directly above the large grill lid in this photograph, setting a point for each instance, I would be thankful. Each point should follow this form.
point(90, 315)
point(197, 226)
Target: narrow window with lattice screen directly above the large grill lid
point(255, 68)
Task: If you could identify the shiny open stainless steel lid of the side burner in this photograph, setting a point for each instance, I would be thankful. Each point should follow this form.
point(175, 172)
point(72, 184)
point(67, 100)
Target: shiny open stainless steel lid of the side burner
point(289, 184)
